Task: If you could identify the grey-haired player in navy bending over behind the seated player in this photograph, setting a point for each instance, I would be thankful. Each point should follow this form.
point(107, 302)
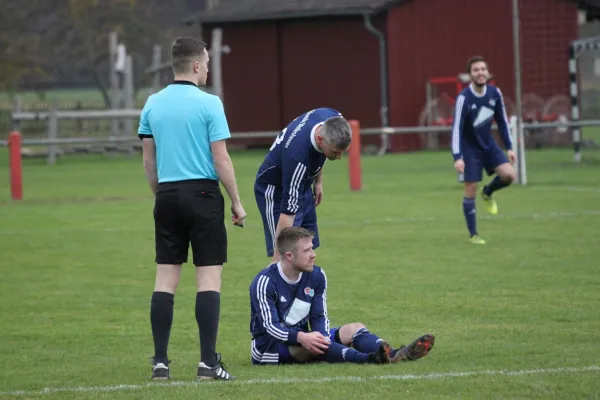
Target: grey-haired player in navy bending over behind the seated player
point(295, 160)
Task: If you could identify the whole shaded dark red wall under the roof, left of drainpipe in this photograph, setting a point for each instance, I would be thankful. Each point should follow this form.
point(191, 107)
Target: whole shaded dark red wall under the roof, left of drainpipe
point(278, 70)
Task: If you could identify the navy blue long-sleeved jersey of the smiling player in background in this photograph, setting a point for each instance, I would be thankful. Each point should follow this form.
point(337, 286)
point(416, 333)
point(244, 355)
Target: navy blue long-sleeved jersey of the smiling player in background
point(473, 116)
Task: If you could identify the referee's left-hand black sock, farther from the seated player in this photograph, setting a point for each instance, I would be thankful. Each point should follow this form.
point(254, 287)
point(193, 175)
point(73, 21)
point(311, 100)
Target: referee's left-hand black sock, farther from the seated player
point(161, 319)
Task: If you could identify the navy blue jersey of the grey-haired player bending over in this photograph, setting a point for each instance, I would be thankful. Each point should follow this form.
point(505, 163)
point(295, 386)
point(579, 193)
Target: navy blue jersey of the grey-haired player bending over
point(294, 160)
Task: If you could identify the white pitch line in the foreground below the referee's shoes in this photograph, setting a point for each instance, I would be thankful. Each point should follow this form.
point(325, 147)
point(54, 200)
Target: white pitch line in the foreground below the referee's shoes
point(409, 377)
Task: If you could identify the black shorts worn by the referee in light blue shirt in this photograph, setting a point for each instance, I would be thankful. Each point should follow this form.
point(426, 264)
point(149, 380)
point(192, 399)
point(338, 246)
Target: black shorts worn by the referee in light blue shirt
point(190, 212)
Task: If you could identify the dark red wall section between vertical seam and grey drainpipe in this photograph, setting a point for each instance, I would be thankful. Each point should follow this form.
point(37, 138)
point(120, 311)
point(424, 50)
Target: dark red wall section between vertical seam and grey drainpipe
point(330, 63)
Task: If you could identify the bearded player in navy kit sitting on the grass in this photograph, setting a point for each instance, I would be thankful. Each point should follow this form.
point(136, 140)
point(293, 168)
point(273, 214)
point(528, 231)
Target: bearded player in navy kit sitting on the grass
point(289, 296)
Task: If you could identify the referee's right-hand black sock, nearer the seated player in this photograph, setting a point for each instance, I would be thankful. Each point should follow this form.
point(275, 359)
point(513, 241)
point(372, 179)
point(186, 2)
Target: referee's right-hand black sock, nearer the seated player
point(208, 310)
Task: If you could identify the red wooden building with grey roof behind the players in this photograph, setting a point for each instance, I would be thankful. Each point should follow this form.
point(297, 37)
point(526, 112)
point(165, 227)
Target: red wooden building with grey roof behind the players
point(289, 56)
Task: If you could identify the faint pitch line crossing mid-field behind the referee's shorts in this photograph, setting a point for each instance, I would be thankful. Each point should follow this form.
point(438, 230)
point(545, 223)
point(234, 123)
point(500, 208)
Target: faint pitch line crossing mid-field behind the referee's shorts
point(324, 222)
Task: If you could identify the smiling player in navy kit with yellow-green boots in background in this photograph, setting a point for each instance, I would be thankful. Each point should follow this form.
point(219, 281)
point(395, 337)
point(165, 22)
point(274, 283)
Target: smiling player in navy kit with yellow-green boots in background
point(473, 145)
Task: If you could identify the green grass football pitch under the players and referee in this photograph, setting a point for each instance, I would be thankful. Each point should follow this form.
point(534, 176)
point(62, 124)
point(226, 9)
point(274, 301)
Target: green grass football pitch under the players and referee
point(76, 260)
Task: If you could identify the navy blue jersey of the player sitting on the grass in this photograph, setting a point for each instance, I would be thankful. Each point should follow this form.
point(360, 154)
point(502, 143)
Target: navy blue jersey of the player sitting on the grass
point(281, 308)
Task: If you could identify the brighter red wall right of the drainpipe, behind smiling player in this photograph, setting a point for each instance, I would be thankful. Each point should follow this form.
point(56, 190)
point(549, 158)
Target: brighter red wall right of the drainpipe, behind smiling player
point(432, 38)
